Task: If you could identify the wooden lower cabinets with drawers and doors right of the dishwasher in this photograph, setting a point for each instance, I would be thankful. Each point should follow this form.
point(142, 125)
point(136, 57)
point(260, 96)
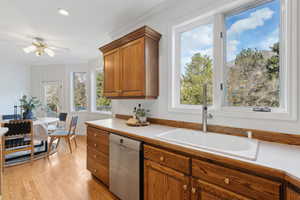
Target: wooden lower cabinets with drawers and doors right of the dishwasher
point(201, 180)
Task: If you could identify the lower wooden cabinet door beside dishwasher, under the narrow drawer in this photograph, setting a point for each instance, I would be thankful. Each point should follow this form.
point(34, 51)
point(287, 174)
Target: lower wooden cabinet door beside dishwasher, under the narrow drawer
point(162, 183)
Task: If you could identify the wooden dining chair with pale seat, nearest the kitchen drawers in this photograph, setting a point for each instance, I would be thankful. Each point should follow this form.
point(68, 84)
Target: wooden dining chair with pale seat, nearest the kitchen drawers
point(67, 135)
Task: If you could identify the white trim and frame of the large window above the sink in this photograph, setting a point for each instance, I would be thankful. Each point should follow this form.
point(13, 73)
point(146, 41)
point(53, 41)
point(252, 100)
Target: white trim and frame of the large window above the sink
point(290, 53)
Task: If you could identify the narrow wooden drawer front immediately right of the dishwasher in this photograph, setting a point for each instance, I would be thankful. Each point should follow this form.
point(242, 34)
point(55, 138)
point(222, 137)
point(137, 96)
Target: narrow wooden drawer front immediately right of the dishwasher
point(169, 159)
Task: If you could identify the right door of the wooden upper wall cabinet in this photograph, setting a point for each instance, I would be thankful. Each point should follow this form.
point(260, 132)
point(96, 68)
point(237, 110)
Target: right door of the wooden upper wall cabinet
point(133, 68)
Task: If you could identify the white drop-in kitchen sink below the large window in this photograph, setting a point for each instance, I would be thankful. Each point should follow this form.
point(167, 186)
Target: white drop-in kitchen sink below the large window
point(226, 144)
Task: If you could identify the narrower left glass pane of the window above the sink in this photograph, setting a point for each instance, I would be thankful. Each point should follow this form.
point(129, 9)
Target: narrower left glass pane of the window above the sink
point(196, 64)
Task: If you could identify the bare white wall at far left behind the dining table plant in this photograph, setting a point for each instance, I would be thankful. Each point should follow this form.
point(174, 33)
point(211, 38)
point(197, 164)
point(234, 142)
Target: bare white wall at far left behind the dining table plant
point(14, 82)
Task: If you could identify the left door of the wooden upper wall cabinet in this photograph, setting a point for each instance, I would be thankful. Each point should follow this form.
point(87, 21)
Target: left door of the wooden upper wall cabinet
point(112, 74)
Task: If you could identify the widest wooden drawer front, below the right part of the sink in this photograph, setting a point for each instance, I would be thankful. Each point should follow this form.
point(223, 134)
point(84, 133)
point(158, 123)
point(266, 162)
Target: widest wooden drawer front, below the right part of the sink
point(252, 186)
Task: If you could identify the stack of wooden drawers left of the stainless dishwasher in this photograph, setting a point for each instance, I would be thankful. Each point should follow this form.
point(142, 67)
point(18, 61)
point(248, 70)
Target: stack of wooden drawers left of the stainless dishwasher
point(98, 154)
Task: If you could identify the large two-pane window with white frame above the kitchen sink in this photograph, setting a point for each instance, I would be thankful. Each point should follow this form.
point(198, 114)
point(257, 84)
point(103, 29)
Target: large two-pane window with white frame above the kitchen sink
point(243, 54)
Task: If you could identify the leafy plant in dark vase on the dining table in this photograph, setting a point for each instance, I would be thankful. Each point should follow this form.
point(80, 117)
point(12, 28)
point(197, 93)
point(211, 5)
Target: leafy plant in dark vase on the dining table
point(28, 104)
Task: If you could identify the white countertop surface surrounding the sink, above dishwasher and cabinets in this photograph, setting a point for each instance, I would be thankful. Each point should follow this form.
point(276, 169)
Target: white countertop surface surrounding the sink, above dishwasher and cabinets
point(272, 155)
